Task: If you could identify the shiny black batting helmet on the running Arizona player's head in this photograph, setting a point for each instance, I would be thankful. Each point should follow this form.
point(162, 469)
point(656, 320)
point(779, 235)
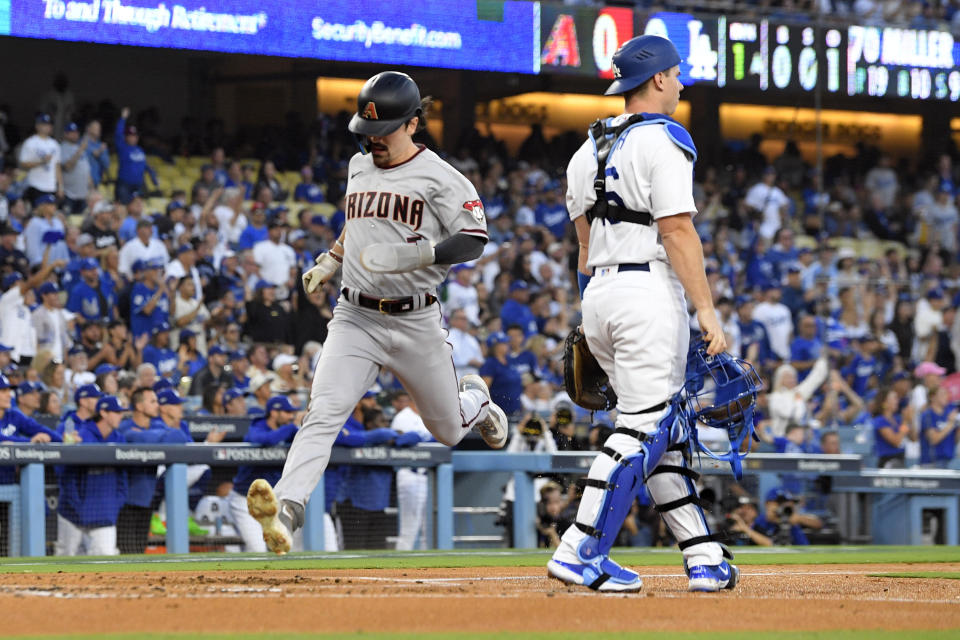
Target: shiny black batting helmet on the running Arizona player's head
point(385, 102)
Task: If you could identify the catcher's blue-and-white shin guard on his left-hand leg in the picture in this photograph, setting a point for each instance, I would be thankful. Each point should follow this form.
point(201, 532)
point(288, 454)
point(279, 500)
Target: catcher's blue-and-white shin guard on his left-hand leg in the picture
point(615, 477)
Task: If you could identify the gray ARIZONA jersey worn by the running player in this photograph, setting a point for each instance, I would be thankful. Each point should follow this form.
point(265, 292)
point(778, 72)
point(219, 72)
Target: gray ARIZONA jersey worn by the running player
point(423, 197)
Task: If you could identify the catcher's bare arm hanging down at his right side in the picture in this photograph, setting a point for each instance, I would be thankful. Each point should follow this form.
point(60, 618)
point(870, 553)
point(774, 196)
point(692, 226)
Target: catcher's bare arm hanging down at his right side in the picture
point(680, 239)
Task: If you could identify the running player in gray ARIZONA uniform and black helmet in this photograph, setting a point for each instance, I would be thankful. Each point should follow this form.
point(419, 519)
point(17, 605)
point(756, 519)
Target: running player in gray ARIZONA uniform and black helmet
point(409, 216)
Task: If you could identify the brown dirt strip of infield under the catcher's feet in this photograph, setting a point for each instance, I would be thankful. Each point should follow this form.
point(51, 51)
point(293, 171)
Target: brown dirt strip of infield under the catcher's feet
point(799, 597)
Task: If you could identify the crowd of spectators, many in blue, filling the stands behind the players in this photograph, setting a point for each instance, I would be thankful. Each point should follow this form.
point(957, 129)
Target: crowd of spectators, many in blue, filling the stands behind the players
point(137, 278)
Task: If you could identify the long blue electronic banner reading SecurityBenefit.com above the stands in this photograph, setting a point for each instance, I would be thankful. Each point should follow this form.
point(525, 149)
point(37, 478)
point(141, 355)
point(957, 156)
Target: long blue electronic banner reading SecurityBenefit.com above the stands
point(460, 34)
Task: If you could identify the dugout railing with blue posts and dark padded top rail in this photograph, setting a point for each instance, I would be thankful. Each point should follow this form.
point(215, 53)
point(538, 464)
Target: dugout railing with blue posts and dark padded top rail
point(902, 498)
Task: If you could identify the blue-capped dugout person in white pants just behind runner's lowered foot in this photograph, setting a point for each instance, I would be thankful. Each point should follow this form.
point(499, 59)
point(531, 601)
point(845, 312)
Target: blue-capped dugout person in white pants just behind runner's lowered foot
point(275, 428)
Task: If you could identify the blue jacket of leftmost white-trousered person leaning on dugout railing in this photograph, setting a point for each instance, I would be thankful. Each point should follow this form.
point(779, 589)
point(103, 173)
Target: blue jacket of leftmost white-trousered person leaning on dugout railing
point(92, 496)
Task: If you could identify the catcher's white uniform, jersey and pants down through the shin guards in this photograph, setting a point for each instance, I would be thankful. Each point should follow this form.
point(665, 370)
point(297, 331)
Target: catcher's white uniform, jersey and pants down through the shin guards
point(636, 323)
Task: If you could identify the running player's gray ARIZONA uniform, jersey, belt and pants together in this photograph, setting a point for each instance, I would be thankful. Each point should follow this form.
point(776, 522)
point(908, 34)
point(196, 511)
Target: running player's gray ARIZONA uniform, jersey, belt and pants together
point(423, 198)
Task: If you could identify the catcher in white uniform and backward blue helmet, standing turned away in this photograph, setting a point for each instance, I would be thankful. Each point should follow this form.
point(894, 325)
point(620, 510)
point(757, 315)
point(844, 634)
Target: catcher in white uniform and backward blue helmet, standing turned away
point(630, 196)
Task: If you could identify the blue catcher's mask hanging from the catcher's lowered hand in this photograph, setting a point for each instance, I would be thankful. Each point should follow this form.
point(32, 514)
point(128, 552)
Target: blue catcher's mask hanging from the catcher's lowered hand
point(721, 392)
